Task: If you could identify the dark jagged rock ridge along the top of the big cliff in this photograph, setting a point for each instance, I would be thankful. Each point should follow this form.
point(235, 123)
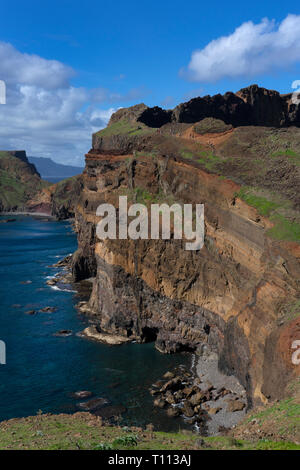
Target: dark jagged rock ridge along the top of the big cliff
point(251, 106)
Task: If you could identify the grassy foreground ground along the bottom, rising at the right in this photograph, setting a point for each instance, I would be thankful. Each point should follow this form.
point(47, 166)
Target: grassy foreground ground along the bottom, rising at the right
point(84, 431)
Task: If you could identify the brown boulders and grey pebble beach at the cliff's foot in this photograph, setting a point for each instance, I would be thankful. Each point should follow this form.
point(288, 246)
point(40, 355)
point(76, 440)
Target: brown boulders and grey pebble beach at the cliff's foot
point(204, 397)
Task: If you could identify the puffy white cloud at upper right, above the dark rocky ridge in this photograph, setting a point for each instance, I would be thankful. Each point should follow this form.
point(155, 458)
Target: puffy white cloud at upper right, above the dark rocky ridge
point(252, 49)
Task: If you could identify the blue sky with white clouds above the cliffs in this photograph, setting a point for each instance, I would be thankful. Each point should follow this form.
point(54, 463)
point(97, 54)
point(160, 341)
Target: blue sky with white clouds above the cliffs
point(112, 54)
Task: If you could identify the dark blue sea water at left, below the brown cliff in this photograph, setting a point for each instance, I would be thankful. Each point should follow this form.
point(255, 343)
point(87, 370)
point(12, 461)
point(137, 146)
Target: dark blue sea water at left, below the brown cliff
point(43, 370)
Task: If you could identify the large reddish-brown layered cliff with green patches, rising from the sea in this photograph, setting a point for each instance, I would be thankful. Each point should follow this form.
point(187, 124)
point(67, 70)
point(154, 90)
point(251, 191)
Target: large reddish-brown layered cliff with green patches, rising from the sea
point(239, 294)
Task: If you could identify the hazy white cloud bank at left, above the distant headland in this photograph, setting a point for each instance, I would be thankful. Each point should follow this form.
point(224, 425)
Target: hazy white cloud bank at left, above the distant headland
point(44, 114)
